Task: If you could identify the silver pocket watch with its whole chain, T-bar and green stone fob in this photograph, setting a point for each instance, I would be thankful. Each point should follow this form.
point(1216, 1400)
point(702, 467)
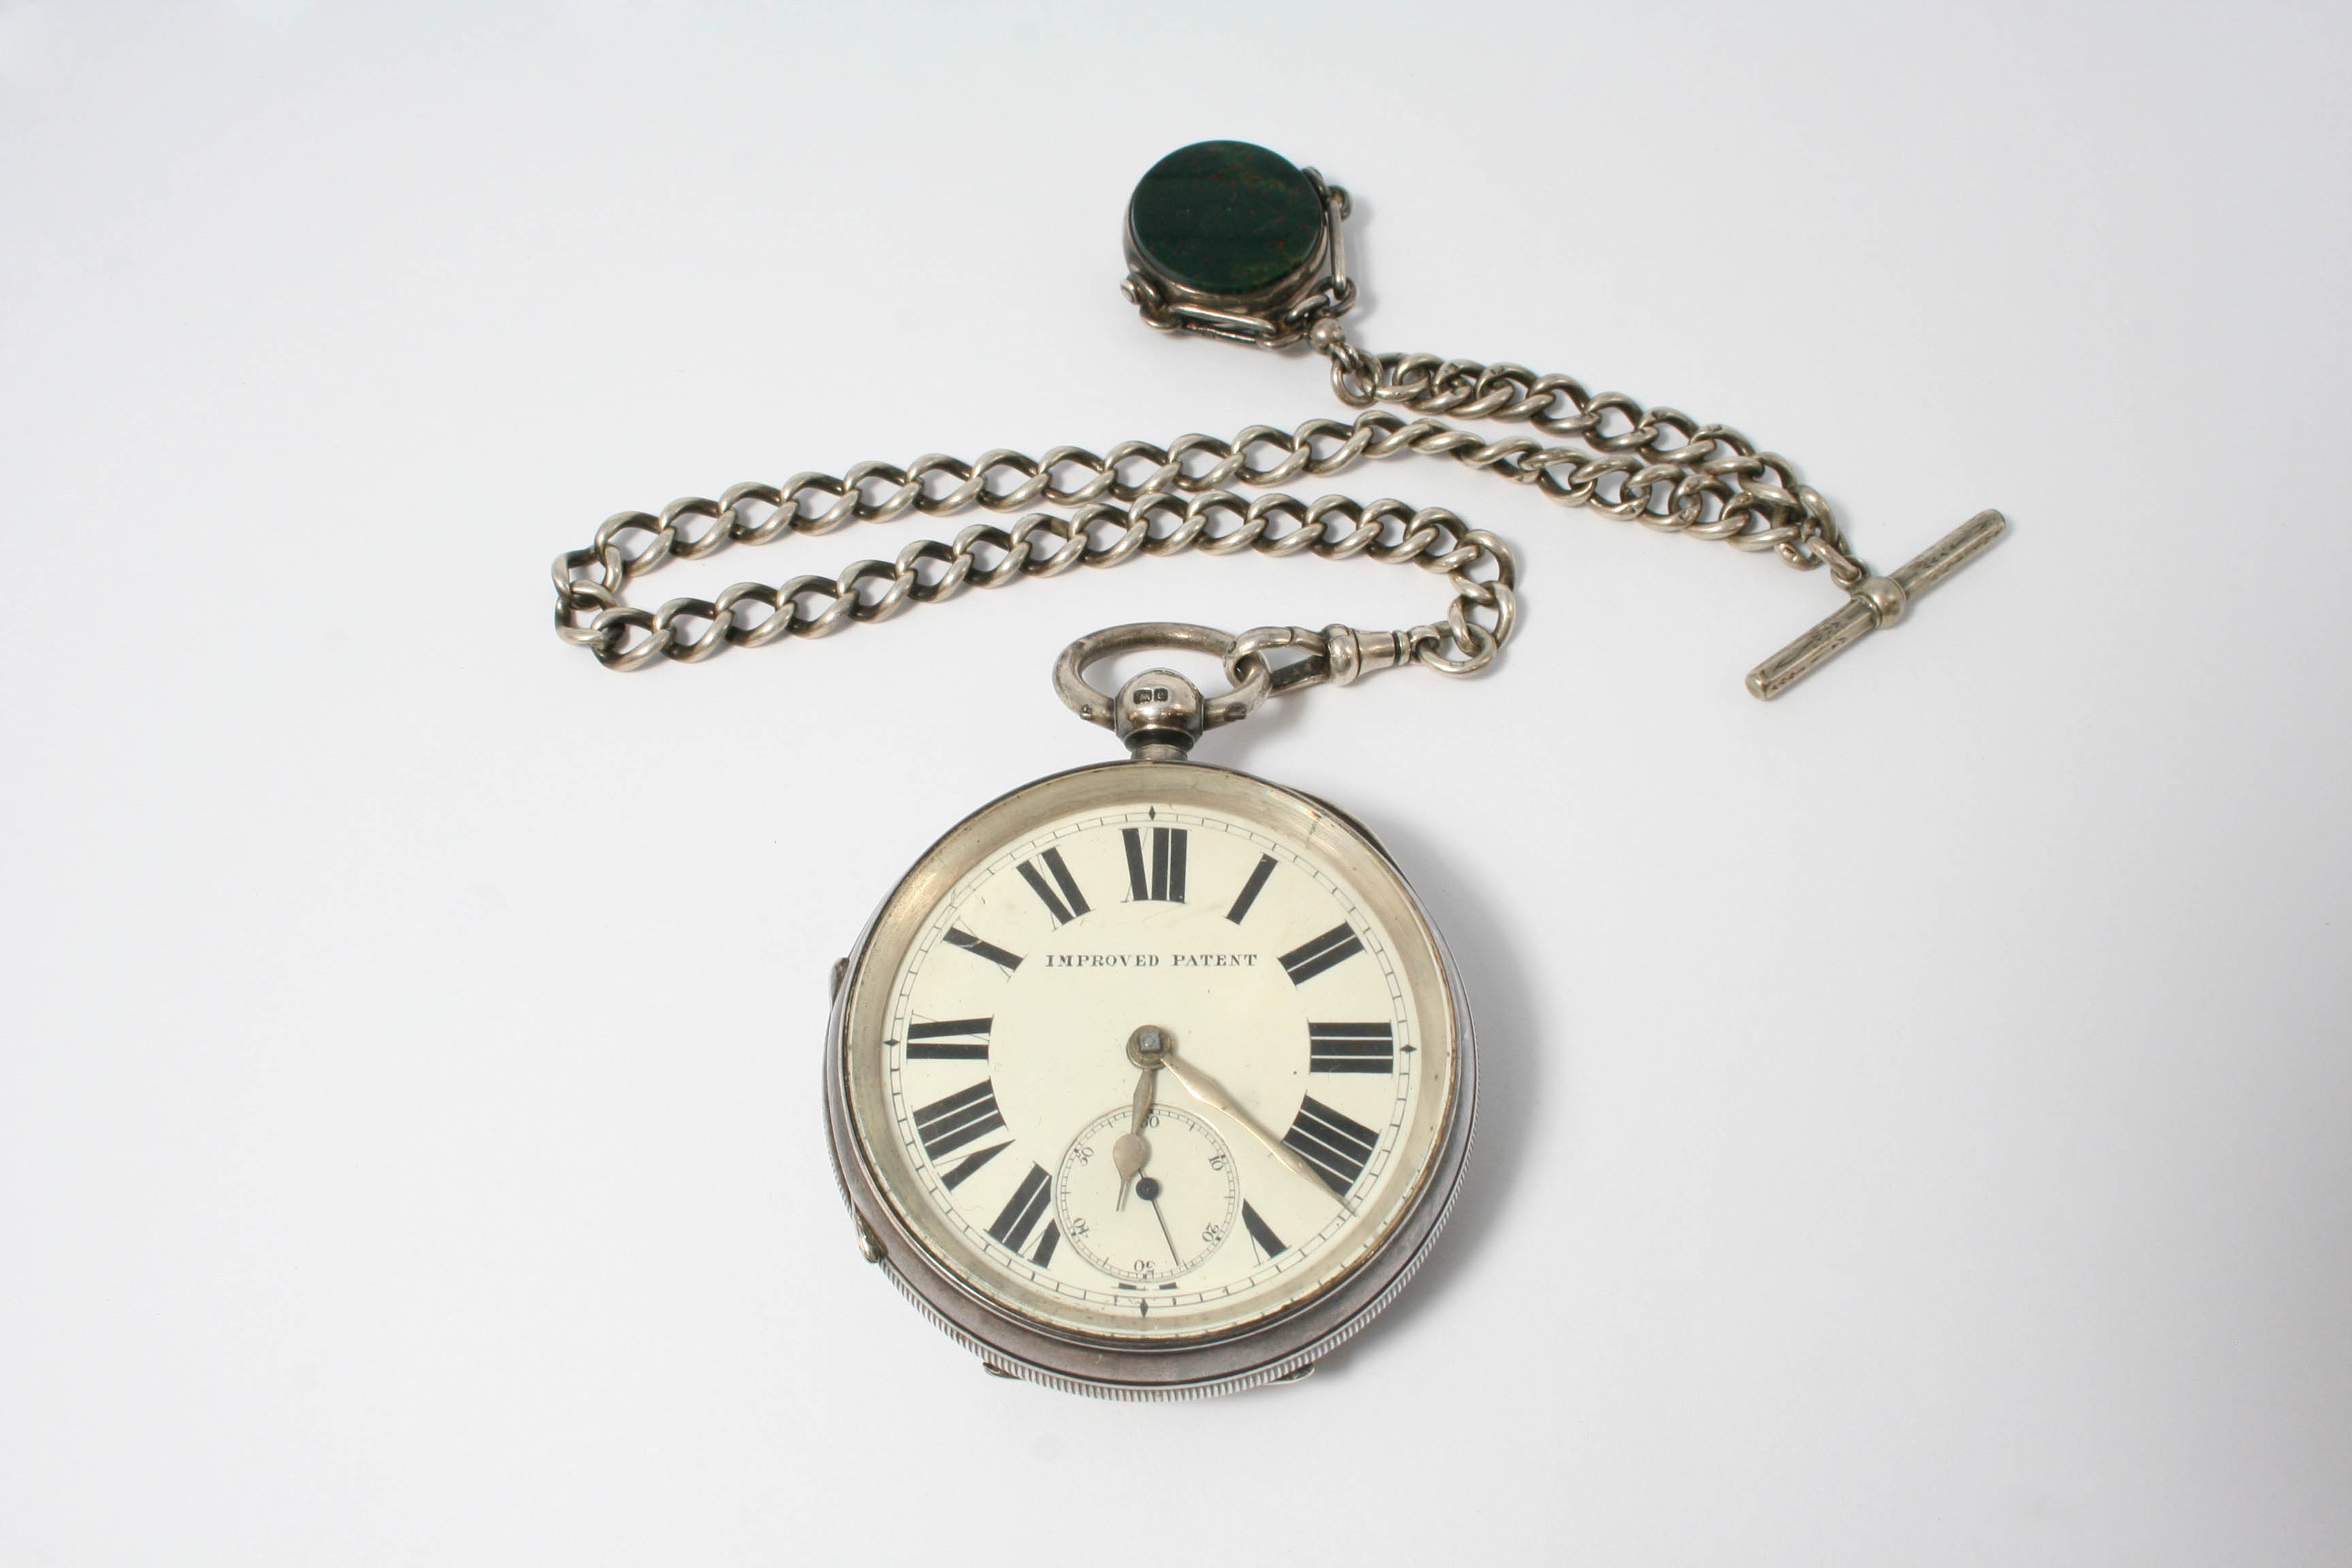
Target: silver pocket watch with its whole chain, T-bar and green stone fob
point(1154, 1080)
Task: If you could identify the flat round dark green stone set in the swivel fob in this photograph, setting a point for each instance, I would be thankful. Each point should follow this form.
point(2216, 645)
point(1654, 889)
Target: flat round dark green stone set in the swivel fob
point(1227, 217)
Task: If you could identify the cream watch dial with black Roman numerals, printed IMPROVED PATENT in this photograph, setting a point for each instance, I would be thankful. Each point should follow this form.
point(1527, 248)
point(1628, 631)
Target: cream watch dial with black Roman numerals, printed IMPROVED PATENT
point(1290, 1132)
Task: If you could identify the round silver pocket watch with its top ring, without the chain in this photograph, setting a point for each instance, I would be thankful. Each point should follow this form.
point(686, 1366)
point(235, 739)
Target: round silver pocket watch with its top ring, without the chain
point(1151, 1078)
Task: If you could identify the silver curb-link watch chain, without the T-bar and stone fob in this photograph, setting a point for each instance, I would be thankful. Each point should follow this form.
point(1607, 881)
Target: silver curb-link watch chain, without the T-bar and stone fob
point(1655, 467)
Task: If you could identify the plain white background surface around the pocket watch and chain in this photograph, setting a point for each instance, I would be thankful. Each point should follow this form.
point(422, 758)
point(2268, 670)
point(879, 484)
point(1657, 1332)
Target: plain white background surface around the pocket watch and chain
point(1916, 1113)
